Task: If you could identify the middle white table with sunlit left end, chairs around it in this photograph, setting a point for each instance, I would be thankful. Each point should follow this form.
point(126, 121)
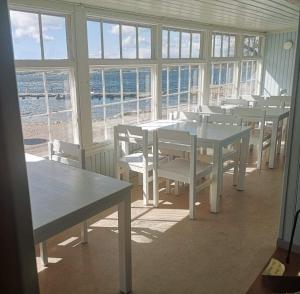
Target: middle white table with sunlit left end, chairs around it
point(219, 136)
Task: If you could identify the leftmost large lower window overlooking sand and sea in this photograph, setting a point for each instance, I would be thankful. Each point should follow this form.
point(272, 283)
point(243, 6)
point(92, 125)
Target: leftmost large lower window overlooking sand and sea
point(46, 108)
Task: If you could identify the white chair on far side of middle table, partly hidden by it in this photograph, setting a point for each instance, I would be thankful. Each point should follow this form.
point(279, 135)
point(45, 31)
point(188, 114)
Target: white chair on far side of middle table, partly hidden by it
point(231, 154)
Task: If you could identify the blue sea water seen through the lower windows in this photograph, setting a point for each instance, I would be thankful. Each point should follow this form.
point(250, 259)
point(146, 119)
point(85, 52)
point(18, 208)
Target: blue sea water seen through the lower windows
point(33, 86)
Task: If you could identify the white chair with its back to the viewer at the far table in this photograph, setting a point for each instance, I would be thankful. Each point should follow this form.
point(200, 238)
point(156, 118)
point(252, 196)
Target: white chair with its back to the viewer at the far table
point(259, 137)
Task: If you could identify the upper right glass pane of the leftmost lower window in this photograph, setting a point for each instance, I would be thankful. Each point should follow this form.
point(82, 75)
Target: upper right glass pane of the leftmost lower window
point(58, 87)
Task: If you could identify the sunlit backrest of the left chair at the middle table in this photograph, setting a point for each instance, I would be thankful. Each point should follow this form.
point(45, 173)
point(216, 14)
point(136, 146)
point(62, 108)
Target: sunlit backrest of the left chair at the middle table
point(129, 134)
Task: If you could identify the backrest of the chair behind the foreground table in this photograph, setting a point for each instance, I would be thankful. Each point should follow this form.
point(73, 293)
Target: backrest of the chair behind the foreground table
point(67, 153)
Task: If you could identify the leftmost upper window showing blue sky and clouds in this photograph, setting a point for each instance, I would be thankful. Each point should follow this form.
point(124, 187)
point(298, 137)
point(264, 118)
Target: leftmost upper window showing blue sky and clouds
point(38, 36)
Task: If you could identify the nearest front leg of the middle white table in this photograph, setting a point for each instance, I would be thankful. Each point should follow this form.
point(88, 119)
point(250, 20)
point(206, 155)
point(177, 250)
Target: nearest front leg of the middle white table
point(216, 180)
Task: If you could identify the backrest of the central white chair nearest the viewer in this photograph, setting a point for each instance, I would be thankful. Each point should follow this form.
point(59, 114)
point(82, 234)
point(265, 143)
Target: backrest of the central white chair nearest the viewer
point(176, 141)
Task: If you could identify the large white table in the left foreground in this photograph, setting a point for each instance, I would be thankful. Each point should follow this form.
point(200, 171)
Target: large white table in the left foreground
point(62, 196)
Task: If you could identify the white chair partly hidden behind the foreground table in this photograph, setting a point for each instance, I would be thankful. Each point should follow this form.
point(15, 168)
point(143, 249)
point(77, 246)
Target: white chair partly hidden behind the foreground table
point(73, 155)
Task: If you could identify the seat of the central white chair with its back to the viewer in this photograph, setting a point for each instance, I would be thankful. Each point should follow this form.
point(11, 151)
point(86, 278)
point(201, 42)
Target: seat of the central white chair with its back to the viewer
point(179, 169)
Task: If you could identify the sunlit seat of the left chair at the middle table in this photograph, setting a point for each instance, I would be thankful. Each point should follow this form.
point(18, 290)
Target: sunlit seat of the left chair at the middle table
point(135, 161)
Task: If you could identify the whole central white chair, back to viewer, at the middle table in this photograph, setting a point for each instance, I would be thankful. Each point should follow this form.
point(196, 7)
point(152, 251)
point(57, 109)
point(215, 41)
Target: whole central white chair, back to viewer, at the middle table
point(186, 170)
